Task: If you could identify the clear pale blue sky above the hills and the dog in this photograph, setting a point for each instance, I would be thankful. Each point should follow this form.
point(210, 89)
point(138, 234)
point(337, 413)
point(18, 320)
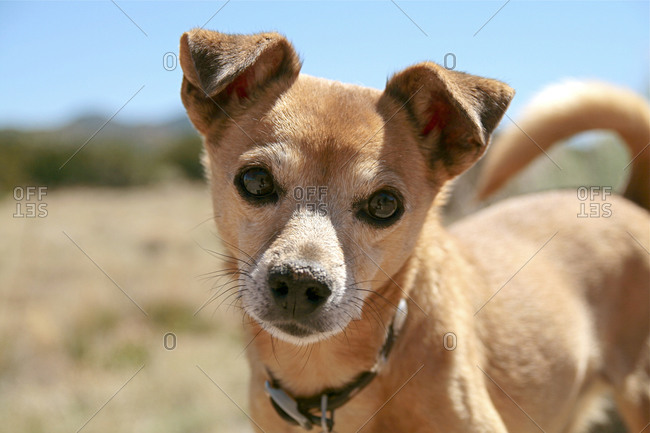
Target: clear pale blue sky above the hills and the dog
point(61, 60)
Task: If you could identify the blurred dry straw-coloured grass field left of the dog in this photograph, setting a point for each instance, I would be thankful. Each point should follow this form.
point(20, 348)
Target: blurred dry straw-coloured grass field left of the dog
point(70, 339)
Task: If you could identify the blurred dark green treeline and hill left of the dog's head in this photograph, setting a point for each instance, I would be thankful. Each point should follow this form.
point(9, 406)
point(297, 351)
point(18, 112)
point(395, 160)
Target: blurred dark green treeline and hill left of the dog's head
point(110, 154)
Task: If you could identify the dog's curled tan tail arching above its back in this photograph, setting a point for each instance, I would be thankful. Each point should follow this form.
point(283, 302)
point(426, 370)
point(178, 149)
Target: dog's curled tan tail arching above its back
point(563, 110)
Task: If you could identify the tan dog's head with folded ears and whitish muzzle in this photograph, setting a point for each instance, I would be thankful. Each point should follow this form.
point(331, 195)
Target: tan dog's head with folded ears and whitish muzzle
point(321, 188)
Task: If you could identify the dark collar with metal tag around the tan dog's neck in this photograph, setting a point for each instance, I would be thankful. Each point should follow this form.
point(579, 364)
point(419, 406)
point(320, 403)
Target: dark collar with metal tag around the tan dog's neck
point(300, 411)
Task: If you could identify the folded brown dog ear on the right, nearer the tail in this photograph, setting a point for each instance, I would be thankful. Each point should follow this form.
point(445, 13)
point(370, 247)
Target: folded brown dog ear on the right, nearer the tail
point(453, 113)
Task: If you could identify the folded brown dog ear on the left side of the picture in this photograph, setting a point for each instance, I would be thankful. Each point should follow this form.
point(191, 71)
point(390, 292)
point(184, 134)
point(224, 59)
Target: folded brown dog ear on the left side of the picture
point(225, 73)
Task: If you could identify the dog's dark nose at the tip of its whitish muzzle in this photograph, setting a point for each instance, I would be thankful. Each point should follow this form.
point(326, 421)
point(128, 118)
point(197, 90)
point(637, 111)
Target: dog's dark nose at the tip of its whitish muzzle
point(298, 291)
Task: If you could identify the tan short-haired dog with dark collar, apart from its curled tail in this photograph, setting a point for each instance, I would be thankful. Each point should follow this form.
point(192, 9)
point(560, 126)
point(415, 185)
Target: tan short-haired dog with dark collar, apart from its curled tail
point(327, 195)
